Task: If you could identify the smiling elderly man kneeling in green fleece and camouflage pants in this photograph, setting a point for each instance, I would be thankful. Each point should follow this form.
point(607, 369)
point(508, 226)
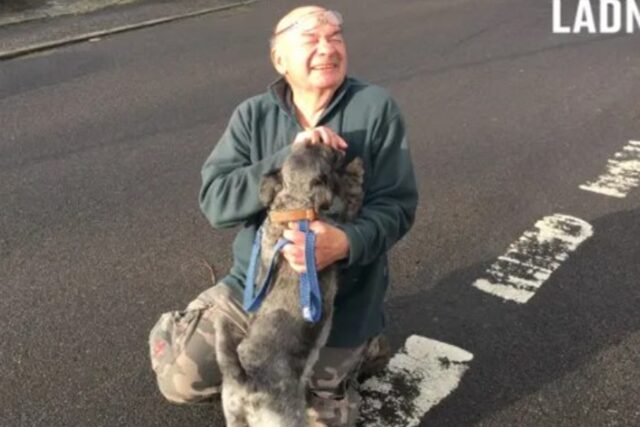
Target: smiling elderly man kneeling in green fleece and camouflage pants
point(314, 100)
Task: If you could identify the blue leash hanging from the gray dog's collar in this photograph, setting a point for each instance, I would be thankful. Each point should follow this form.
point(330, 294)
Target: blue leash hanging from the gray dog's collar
point(310, 296)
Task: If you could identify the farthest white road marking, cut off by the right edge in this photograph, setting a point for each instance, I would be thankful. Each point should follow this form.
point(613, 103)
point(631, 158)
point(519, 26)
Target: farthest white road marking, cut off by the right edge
point(622, 173)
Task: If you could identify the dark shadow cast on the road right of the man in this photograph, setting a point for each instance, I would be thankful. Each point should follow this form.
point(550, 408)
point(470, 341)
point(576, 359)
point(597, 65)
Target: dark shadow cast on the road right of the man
point(589, 304)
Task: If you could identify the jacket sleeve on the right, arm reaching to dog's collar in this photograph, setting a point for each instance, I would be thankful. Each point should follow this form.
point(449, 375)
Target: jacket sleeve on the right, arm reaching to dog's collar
point(390, 200)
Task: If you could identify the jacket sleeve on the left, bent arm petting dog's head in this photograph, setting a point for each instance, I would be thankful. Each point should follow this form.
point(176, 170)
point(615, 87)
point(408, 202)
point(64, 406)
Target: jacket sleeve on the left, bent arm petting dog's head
point(230, 179)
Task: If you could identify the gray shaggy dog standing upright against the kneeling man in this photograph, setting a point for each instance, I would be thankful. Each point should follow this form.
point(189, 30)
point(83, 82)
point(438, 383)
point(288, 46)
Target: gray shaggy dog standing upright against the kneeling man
point(265, 373)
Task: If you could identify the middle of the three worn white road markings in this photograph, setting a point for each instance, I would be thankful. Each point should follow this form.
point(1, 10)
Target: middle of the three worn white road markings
point(529, 261)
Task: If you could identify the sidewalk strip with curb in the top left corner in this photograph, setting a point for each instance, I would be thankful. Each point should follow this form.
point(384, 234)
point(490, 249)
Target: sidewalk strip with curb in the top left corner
point(28, 26)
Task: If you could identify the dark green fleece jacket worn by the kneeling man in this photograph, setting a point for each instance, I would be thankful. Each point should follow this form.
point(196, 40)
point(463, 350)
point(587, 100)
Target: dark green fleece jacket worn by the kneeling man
point(256, 142)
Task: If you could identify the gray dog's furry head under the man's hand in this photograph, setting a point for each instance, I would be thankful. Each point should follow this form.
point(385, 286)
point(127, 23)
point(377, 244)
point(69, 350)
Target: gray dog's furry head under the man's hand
point(309, 179)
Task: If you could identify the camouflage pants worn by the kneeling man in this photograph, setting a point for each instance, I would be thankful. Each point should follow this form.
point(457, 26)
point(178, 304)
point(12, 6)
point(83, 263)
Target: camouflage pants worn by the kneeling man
point(183, 358)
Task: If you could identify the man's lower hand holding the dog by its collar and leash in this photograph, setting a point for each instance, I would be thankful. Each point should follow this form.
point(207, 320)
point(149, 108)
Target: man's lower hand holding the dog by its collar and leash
point(331, 245)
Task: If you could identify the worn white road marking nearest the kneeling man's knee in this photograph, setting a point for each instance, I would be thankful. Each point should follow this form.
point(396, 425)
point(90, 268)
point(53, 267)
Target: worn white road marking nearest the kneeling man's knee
point(420, 375)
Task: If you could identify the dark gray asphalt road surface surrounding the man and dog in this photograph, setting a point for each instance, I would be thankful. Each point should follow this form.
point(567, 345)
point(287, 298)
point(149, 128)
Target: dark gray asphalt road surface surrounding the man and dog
point(100, 231)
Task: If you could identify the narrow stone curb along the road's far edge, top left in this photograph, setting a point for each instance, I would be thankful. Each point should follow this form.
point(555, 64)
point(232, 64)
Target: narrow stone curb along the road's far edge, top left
point(38, 47)
